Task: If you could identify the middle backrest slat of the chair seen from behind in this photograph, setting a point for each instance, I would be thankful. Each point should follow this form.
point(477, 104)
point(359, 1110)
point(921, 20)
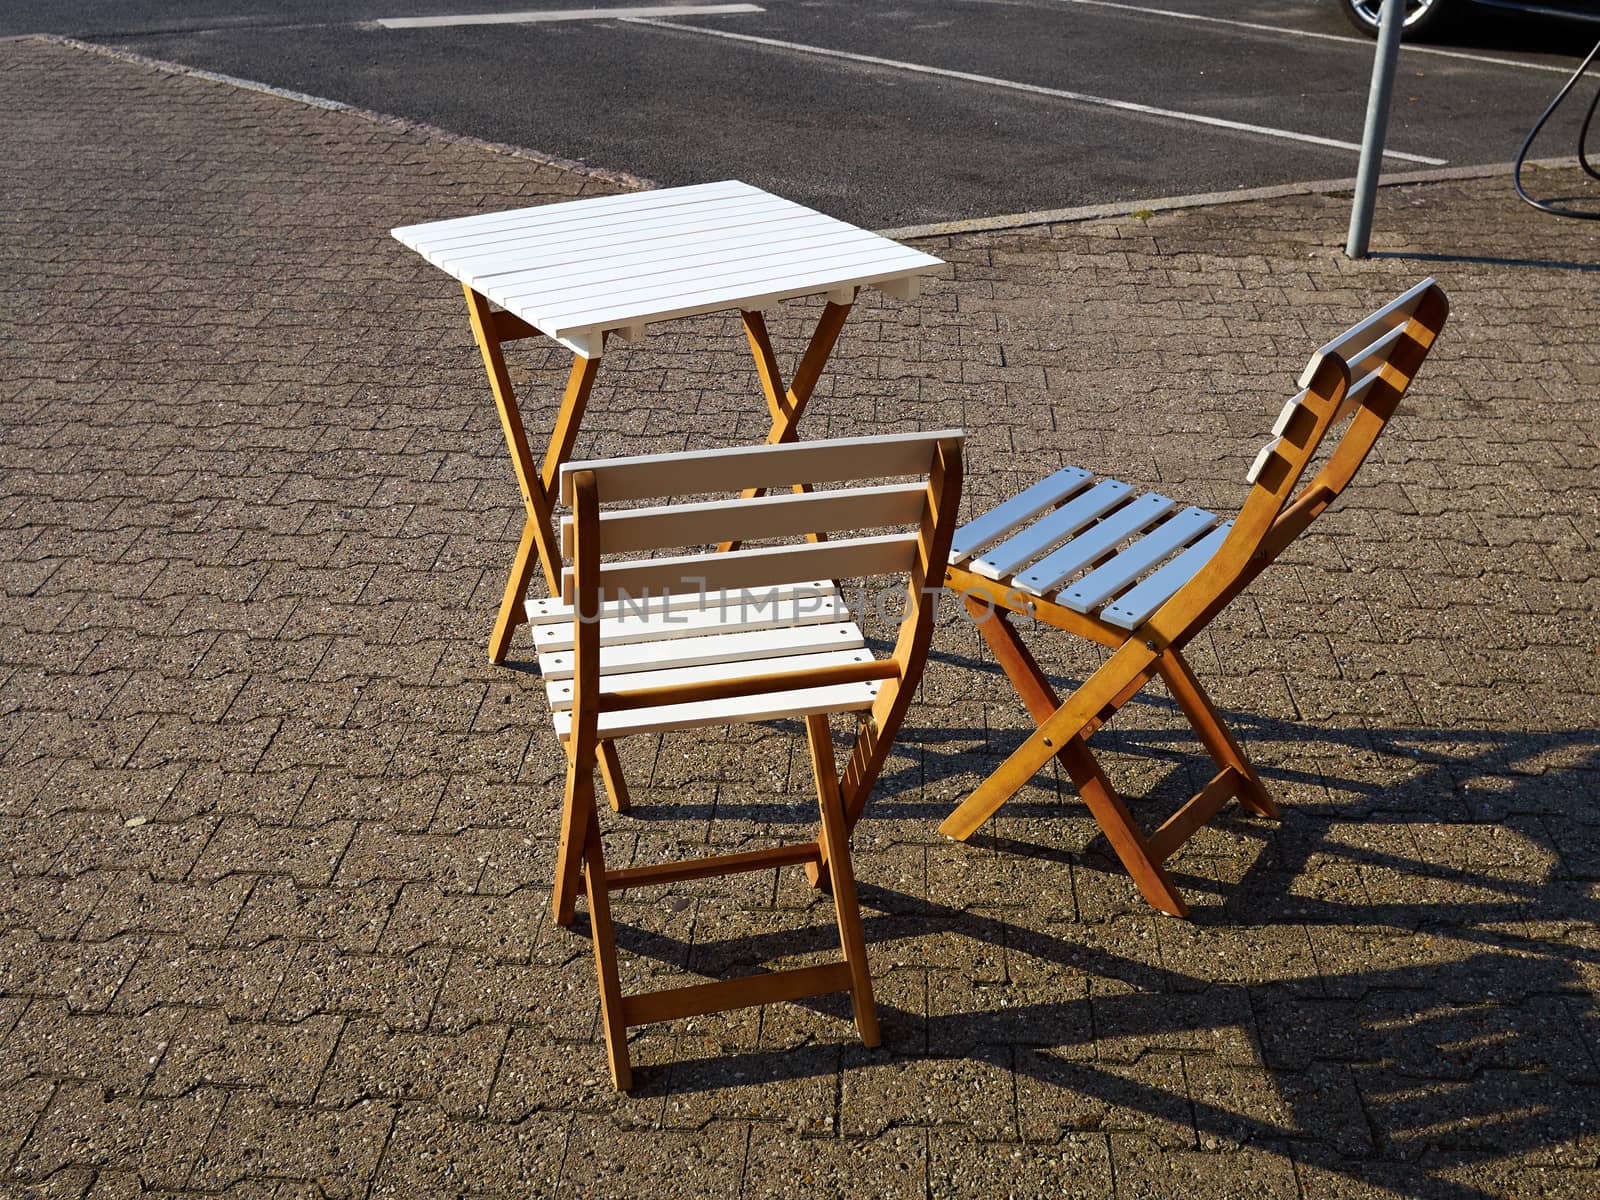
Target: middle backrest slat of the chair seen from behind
point(754, 518)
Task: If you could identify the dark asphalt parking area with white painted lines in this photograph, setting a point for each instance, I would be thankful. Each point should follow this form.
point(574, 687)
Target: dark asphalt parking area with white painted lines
point(889, 114)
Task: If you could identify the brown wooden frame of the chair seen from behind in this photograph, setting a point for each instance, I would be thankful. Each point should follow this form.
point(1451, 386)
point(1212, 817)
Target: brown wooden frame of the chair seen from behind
point(841, 794)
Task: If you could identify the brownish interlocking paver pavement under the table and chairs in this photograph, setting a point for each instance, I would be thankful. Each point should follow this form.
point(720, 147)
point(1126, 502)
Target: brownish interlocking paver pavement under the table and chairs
point(276, 838)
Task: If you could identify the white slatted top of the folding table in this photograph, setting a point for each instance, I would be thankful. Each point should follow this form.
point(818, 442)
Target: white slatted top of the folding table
point(618, 263)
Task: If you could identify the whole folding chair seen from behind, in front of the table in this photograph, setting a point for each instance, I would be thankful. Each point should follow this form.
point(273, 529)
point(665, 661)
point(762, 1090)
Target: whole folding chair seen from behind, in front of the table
point(719, 636)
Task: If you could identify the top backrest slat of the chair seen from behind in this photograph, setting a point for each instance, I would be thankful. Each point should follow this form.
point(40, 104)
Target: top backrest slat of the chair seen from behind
point(780, 466)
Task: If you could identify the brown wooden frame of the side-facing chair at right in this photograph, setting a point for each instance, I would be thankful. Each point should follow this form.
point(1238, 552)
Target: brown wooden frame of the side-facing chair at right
point(1268, 522)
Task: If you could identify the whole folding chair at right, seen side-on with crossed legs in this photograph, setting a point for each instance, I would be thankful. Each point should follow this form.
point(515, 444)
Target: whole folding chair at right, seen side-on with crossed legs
point(1142, 575)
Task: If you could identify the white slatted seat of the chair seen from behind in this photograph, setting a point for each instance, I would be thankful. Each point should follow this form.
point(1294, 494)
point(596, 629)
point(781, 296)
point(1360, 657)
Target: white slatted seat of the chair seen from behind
point(708, 639)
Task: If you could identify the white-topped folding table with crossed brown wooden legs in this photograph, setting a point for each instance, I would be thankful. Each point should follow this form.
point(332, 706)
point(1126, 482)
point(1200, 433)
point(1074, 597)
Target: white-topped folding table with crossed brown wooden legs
point(583, 271)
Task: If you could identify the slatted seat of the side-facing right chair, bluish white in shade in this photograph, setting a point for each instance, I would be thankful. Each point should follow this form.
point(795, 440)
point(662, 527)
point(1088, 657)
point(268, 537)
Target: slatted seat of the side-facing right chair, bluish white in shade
point(1092, 545)
